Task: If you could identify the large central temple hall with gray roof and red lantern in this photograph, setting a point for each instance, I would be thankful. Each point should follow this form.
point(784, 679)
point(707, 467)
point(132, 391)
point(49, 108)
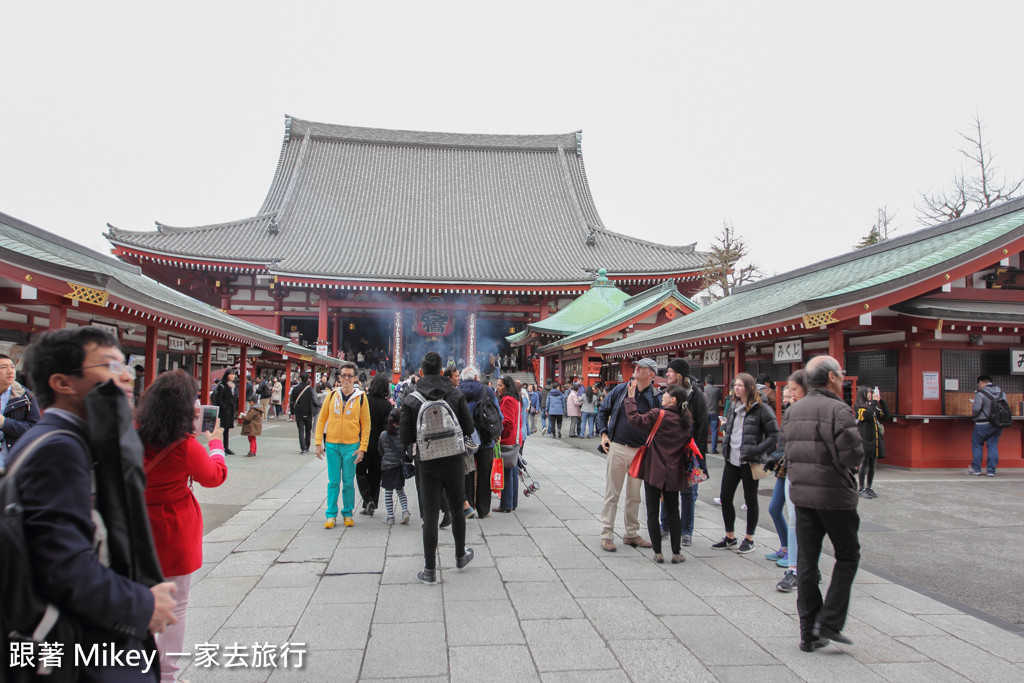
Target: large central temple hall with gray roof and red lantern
point(392, 243)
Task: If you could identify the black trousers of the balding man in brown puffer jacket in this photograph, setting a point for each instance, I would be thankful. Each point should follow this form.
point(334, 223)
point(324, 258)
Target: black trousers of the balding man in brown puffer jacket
point(813, 526)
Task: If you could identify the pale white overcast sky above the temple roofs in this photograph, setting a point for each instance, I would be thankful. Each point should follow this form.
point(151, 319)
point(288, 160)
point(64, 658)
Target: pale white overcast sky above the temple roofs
point(794, 121)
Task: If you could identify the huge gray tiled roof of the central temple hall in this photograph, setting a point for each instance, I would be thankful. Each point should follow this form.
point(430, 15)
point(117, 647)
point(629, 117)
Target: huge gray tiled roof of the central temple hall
point(406, 206)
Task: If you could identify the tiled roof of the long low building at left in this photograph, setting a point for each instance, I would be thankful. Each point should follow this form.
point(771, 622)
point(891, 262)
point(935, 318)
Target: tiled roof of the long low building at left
point(44, 252)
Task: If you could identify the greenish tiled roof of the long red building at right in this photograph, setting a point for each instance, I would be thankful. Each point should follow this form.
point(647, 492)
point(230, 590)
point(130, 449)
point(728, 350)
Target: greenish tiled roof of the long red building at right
point(856, 277)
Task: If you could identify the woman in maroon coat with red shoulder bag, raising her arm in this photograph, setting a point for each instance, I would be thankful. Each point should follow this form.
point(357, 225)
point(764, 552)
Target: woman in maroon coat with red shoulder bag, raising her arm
point(666, 464)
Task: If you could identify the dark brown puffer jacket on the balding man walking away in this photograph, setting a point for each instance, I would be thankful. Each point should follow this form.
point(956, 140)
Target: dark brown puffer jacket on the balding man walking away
point(823, 447)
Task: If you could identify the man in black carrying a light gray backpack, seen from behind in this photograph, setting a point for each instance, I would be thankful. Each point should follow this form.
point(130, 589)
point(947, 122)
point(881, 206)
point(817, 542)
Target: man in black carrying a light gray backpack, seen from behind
point(437, 419)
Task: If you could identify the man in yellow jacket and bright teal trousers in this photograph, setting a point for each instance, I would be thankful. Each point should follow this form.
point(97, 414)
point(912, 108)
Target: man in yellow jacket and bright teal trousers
point(346, 417)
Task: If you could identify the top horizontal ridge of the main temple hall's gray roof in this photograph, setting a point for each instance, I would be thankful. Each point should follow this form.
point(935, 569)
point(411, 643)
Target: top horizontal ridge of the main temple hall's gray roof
point(548, 142)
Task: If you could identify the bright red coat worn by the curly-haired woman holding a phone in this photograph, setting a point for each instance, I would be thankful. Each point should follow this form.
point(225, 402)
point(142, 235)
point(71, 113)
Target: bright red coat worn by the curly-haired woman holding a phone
point(175, 514)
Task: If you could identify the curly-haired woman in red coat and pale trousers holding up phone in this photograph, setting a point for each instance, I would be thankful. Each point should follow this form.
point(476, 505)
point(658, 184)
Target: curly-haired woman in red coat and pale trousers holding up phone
point(174, 458)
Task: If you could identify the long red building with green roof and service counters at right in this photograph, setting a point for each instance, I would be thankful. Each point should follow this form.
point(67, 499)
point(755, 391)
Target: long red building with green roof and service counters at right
point(921, 317)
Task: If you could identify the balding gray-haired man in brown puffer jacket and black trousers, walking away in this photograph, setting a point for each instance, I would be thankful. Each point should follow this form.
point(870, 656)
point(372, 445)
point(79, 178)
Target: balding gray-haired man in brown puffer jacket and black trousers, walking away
point(823, 449)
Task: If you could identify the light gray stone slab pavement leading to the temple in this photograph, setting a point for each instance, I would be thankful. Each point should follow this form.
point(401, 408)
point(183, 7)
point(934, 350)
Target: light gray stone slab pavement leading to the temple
point(541, 601)
